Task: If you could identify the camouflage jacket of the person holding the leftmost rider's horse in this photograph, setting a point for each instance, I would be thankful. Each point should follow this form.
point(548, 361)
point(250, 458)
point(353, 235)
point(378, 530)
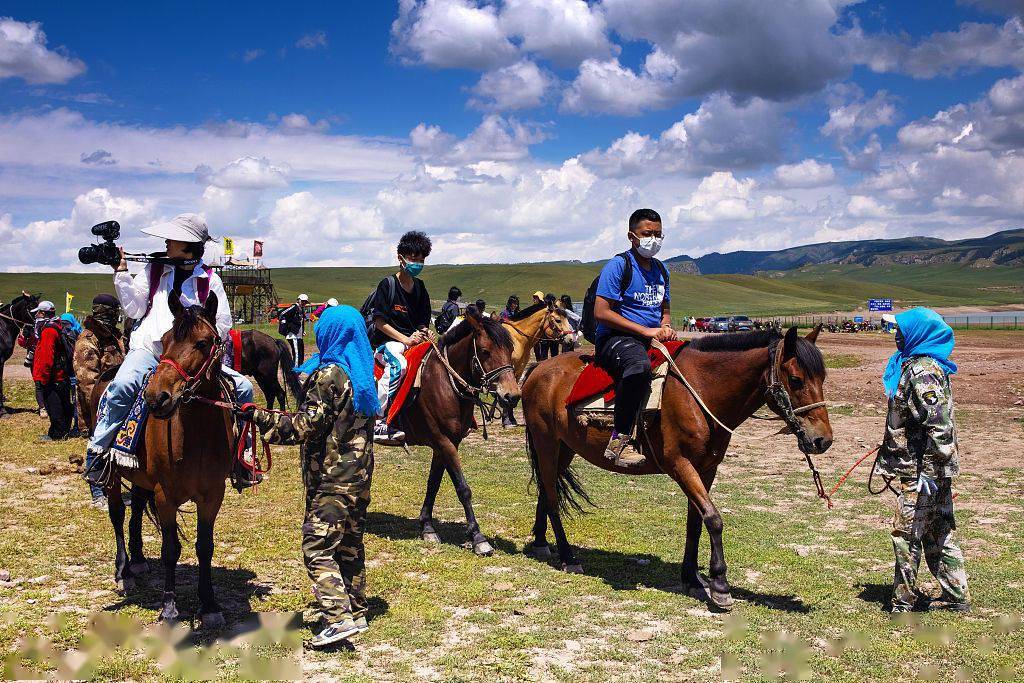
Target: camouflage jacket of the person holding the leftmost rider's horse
point(337, 442)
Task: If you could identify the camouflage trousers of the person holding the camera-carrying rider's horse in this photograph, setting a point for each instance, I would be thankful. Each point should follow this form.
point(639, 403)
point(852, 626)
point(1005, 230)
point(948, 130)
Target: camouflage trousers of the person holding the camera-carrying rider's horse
point(332, 540)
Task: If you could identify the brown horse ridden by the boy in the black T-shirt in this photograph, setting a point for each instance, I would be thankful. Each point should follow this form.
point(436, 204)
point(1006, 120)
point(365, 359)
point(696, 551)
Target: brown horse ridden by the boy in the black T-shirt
point(475, 357)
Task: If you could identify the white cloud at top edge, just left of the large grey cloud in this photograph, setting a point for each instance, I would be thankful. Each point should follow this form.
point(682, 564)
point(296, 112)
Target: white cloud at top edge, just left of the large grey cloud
point(565, 31)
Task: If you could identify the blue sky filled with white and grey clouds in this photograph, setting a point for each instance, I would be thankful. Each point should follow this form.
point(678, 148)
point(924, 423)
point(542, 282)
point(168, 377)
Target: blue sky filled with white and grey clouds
point(511, 130)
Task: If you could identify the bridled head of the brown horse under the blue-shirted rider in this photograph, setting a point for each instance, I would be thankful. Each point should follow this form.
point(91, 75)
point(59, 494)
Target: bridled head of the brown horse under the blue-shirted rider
point(800, 370)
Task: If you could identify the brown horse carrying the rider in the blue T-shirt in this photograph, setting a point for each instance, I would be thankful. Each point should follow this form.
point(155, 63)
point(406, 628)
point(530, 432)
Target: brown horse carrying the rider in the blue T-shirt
point(735, 375)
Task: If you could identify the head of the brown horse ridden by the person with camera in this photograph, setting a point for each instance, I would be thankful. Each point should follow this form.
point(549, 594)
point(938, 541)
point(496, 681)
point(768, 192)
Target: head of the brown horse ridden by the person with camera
point(192, 356)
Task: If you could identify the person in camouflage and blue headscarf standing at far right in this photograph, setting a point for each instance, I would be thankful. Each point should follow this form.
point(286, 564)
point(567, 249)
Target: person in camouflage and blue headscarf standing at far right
point(920, 451)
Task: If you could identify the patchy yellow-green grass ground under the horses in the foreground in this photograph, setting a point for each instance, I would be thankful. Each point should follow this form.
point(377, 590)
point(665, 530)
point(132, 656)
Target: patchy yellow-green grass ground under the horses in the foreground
point(812, 585)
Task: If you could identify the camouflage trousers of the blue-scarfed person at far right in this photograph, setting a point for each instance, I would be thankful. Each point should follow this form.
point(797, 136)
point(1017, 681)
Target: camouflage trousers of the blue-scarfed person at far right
point(925, 524)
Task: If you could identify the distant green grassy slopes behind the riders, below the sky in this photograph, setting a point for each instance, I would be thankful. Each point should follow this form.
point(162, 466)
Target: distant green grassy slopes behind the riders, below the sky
point(818, 289)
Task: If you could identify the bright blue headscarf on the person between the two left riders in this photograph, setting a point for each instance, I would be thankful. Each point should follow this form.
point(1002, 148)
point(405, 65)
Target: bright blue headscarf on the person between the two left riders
point(342, 336)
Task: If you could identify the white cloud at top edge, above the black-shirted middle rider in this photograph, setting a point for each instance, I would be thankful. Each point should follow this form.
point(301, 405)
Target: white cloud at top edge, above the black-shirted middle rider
point(450, 34)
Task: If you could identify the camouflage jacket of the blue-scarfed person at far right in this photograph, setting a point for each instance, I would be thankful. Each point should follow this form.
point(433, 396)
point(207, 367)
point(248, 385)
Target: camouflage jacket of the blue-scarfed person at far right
point(921, 432)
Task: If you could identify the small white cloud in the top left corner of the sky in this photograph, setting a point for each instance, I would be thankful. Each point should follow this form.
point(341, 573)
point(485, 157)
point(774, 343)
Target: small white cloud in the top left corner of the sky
point(24, 55)
